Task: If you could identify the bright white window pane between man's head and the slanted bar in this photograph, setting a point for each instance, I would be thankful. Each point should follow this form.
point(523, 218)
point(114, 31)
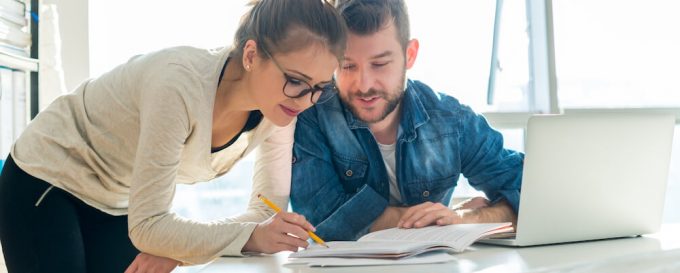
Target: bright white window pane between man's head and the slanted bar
point(455, 61)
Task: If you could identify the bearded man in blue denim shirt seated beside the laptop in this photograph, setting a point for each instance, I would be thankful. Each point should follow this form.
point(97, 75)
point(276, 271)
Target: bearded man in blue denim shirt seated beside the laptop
point(388, 152)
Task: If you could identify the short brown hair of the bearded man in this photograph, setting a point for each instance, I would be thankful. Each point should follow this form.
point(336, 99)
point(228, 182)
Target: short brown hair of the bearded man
point(365, 17)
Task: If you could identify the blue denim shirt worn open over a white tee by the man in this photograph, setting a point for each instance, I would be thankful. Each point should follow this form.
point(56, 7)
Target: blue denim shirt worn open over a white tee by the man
point(340, 182)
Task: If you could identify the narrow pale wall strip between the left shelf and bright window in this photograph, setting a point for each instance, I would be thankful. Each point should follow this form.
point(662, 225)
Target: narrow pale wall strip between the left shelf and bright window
point(75, 49)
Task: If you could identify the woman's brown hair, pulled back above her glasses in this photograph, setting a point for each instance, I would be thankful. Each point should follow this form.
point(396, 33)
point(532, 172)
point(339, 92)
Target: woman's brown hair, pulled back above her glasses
point(281, 26)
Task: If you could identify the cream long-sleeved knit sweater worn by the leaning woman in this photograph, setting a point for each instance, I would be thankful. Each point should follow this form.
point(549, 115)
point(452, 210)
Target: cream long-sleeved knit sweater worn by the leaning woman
point(121, 142)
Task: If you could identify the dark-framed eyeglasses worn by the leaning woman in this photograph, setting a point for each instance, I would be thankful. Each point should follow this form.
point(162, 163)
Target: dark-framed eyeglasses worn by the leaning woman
point(296, 88)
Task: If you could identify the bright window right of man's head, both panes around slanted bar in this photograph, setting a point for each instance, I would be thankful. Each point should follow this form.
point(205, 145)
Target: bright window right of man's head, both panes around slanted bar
point(456, 41)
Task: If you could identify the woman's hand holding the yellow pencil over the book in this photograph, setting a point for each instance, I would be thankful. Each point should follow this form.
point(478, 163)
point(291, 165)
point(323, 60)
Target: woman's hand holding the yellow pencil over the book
point(283, 231)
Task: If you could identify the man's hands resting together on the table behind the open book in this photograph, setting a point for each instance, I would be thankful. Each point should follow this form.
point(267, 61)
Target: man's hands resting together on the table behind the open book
point(475, 210)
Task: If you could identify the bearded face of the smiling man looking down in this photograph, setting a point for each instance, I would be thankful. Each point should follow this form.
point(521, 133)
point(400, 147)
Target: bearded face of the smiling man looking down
point(371, 76)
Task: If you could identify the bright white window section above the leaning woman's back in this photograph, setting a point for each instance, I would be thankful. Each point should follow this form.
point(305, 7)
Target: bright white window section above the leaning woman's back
point(124, 28)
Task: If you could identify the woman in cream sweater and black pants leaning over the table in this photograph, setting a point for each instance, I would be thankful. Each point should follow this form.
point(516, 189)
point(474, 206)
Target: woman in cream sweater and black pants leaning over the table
point(102, 163)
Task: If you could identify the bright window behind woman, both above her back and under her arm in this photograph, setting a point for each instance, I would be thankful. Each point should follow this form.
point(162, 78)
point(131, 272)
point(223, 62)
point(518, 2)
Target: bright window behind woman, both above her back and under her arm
point(124, 28)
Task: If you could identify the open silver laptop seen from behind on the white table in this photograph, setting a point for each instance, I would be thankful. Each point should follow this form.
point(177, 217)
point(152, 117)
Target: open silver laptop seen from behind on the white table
point(592, 176)
